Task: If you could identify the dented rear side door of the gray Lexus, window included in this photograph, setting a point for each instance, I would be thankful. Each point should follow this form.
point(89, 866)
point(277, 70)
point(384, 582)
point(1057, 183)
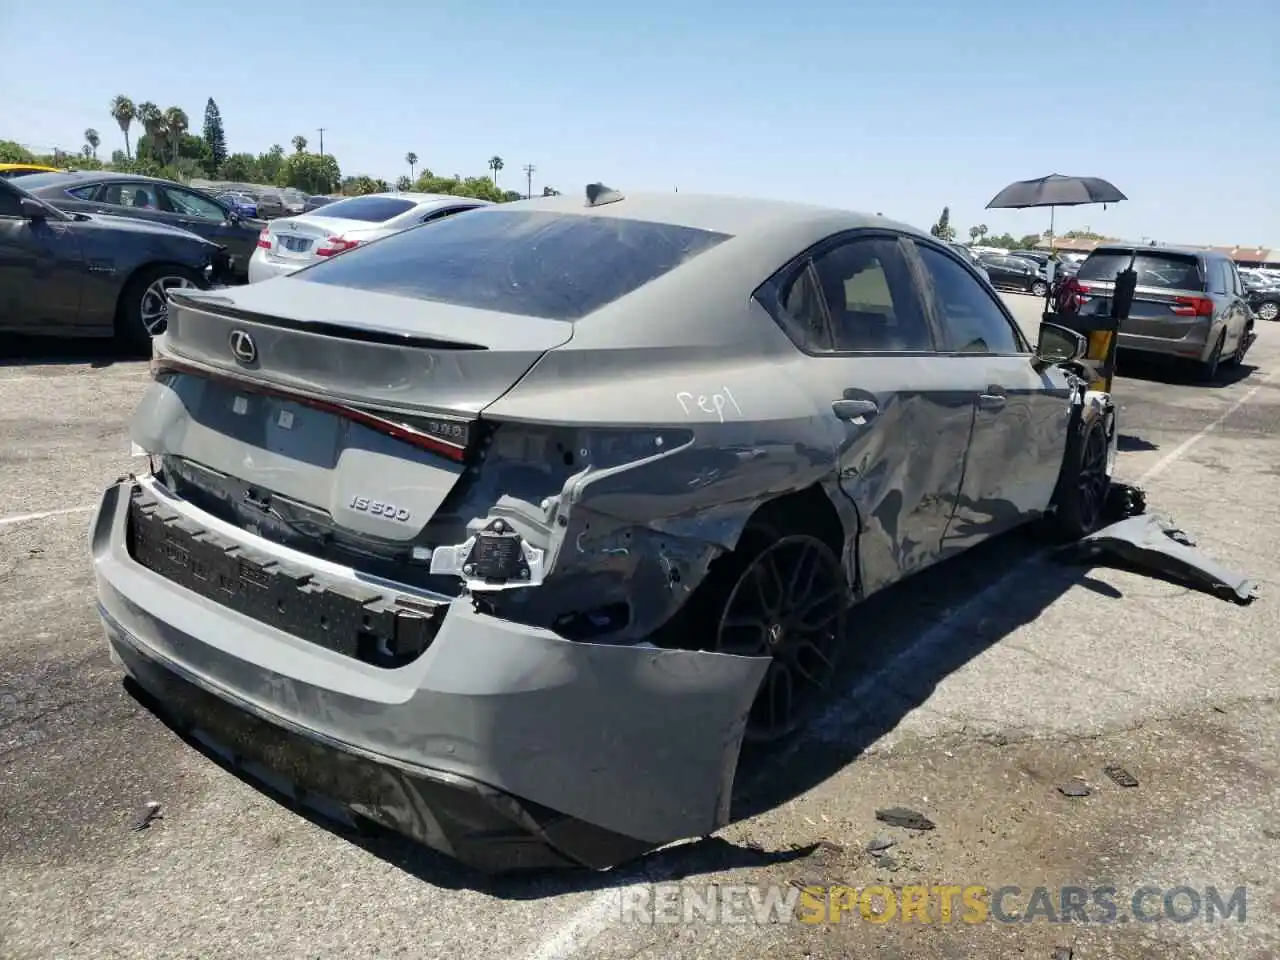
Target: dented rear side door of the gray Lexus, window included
point(900, 429)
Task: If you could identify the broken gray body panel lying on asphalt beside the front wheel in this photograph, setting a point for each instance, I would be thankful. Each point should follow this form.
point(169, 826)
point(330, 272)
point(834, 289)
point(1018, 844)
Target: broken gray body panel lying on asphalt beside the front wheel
point(1154, 543)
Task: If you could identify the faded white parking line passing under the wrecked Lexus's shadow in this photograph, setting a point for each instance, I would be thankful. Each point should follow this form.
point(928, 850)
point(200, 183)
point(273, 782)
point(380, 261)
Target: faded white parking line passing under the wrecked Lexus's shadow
point(598, 915)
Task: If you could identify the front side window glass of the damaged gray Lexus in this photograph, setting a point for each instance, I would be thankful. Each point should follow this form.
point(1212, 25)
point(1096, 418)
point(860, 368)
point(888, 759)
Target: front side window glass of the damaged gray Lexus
point(971, 316)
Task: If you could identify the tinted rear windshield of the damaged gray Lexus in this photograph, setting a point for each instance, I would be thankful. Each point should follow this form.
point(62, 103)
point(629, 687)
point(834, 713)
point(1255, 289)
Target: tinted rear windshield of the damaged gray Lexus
point(561, 267)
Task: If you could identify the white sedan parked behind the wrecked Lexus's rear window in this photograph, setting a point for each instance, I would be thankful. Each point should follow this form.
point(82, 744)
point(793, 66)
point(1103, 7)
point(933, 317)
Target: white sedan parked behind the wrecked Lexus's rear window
point(290, 244)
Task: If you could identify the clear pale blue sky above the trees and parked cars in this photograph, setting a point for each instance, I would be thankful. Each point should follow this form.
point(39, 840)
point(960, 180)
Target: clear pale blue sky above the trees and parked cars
point(899, 108)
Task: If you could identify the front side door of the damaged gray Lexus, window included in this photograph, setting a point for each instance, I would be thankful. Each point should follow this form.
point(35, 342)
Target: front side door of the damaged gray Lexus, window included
point(1021, 414)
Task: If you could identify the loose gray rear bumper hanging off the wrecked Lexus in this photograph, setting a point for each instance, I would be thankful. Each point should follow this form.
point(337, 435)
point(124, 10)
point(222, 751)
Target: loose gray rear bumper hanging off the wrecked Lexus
point(502, 746)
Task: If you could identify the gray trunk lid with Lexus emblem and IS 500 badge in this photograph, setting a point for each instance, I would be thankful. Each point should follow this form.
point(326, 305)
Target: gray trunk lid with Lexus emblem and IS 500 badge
point(349, 431)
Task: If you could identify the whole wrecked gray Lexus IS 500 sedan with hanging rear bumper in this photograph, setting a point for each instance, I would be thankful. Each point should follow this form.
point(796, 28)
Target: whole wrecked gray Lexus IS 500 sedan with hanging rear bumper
point(506, 532)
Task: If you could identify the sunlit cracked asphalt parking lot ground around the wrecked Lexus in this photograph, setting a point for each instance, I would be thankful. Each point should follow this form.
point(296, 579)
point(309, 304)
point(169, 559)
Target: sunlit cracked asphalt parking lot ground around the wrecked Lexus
point(975, 692)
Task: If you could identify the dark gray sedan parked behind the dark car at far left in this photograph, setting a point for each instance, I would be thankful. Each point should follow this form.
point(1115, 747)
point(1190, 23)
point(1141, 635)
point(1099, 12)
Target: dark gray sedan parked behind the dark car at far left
point(156, 200)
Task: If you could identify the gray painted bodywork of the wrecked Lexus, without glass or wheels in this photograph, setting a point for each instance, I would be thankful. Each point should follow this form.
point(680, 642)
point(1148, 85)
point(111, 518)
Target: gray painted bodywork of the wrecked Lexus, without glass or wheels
point(619, 733)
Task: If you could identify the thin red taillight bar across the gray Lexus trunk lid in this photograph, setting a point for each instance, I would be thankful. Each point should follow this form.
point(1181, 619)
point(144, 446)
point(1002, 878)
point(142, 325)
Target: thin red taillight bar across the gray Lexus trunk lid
point(172, 363)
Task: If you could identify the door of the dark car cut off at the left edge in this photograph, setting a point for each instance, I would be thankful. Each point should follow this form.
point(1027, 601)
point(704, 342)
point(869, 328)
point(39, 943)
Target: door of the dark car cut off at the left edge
point(42, 271)
